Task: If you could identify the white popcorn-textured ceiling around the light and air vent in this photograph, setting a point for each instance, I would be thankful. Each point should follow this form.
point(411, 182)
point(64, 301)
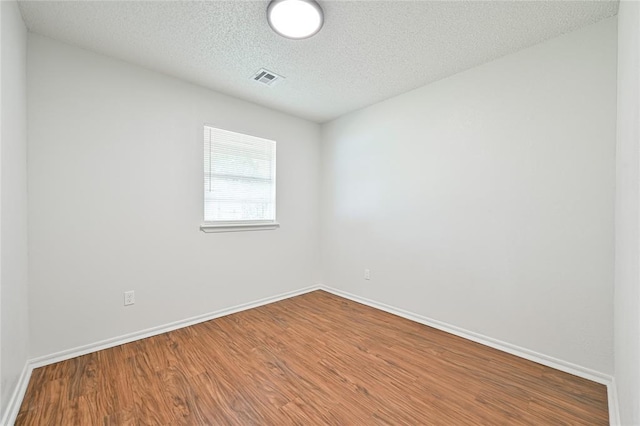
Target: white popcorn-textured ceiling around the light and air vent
point(367, 51)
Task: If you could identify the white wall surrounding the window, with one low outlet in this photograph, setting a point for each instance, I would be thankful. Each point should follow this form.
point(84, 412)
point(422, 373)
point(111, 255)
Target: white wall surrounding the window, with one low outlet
point(116, 200)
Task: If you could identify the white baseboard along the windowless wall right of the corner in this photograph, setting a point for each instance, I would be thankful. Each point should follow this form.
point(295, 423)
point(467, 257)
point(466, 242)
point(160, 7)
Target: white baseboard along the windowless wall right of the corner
point(549, 361)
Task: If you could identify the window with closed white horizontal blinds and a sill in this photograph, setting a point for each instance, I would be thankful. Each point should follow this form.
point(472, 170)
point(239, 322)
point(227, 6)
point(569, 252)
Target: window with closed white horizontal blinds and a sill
point(239, 182)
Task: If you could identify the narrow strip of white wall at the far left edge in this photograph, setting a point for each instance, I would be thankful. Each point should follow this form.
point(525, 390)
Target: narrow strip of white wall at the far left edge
point(13, 202)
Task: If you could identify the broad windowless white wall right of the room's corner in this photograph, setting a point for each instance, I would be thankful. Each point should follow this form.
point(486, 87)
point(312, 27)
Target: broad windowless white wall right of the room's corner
point(485, 200)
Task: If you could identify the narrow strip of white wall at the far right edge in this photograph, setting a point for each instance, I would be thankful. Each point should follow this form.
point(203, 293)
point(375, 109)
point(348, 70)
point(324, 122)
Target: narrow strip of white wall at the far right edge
point(627, 247)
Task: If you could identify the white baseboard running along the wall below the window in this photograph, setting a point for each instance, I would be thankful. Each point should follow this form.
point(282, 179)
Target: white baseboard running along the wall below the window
point(143, 334)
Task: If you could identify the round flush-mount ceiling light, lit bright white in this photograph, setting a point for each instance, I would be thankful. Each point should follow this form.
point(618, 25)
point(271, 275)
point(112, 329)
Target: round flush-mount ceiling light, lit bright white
point(295, 19)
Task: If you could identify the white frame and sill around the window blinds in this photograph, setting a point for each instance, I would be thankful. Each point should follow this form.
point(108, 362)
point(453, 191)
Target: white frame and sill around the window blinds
point(236, 225)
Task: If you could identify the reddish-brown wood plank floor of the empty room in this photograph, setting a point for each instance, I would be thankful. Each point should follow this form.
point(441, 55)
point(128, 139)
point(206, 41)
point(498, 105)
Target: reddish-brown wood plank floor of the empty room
point(312, 359)
